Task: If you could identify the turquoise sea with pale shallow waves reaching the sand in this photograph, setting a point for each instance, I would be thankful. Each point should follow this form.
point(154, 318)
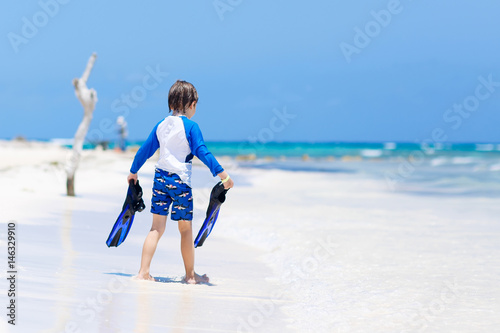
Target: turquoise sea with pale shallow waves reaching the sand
point(466, 169)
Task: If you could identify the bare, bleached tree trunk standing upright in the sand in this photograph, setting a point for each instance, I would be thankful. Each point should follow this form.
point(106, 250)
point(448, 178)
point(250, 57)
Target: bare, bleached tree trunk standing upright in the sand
point(88, 99)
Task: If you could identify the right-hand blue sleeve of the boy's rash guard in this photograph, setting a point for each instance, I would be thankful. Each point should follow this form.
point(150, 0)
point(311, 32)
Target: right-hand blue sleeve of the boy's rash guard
point(198, 147)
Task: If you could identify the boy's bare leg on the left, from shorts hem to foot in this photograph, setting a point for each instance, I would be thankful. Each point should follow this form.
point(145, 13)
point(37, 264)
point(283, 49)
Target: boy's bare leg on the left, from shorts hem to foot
point(149, 248)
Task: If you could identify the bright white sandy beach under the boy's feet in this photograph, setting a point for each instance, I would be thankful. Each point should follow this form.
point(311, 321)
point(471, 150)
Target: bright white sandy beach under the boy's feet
point(291, 251)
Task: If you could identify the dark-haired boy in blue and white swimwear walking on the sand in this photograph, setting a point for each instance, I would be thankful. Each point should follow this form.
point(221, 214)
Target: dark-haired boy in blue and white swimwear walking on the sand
point(178, 138)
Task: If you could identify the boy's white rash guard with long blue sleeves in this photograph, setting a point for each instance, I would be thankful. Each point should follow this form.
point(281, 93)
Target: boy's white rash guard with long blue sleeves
point(178, 138)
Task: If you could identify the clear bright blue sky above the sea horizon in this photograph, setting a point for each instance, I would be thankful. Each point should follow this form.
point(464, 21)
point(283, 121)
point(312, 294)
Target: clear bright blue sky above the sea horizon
point(262, 58)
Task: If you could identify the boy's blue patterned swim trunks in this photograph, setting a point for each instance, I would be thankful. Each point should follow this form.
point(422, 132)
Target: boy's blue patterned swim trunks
point(169, 189)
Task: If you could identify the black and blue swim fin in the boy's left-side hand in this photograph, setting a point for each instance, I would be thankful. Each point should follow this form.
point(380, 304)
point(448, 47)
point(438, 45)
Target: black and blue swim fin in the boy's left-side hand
point(133, 203)
